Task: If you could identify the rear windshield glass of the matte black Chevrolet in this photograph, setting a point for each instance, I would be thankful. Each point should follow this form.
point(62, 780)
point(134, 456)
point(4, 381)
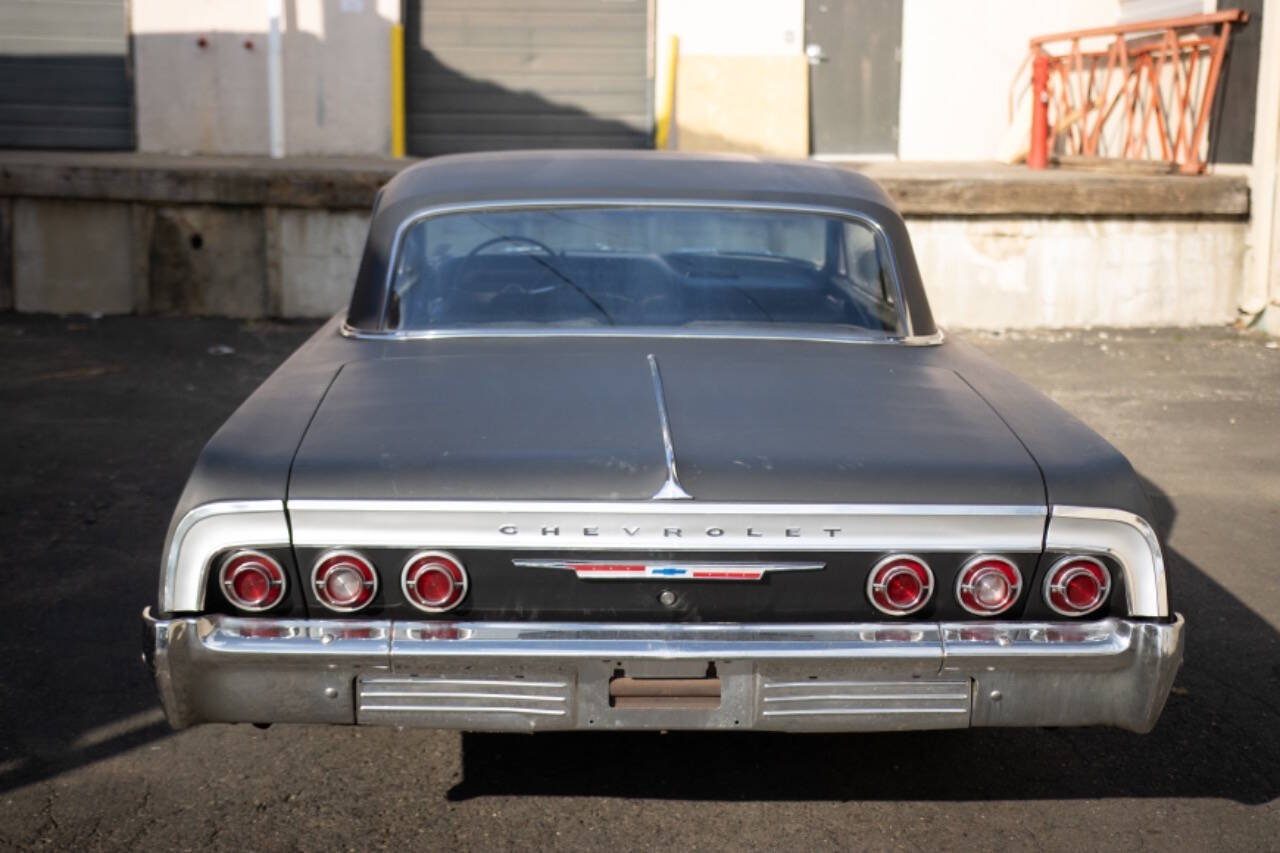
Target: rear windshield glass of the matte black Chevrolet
point(679, 268)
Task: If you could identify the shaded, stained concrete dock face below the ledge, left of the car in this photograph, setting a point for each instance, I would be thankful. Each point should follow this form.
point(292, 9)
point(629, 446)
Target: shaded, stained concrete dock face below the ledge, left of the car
point(214, 261)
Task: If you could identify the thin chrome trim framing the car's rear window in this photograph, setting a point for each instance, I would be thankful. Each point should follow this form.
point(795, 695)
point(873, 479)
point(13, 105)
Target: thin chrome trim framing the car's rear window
point(907, 335)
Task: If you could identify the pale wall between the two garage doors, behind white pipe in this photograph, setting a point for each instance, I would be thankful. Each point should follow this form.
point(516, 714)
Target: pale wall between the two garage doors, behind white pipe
point(212, 99)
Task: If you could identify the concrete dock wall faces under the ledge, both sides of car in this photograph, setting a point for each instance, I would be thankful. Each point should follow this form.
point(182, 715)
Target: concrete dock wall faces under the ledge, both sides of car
point(241, 261)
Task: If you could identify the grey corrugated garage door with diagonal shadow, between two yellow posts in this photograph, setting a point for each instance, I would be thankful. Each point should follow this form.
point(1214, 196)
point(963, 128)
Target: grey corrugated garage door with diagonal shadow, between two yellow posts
point(490, 75)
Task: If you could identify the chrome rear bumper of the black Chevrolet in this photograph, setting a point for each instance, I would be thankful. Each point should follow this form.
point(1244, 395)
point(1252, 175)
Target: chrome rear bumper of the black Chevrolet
point(519, 677)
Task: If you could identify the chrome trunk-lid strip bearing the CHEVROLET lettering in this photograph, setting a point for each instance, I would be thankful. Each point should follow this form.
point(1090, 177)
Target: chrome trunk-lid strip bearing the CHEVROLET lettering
point(675, 526)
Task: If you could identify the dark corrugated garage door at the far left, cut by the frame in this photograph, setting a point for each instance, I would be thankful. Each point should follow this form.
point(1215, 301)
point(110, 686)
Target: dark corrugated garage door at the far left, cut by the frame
point(65, 75)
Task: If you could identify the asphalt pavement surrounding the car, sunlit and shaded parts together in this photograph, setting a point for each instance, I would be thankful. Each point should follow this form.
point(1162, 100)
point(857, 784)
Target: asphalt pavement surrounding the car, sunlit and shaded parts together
point(104, 418)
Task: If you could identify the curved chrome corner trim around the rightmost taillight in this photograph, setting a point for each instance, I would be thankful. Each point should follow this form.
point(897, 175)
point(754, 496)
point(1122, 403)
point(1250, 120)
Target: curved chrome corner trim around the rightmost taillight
point(1126, 537)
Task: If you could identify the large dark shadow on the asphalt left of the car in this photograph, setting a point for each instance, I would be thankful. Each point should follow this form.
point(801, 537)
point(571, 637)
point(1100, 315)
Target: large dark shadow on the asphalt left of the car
point(103, 421)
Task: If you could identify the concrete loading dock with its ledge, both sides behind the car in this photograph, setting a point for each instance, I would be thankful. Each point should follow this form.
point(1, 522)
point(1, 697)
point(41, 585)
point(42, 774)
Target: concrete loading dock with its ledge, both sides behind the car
point(250, 238)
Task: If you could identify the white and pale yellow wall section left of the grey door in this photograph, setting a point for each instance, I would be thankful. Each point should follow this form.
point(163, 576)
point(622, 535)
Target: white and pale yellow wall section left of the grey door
point(743, 80)
